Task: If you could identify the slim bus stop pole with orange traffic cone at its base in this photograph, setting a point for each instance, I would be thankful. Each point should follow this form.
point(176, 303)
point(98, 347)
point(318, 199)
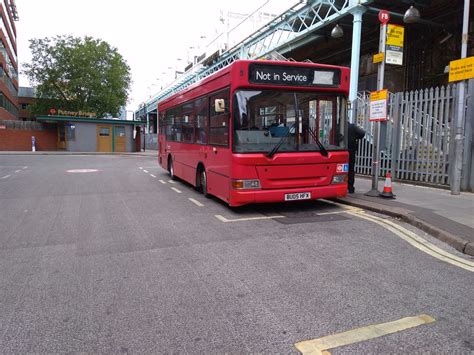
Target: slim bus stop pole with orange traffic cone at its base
point(376, 137)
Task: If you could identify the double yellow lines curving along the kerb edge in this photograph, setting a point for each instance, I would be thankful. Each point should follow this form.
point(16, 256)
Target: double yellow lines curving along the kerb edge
point(417, 241)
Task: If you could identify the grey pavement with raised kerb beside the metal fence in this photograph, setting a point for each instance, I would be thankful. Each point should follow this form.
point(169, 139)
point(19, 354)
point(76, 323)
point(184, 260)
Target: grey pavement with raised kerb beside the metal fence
point(446, 217)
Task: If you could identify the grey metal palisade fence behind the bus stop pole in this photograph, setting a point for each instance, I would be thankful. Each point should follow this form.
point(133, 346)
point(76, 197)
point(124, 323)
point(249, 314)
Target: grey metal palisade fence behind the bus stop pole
point(417, 135)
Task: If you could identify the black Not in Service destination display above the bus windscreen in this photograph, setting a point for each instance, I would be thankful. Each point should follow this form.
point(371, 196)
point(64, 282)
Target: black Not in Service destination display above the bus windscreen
point(293, 76)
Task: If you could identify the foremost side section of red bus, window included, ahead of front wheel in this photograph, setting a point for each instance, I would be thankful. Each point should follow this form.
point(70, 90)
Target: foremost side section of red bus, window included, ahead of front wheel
point(219, 155)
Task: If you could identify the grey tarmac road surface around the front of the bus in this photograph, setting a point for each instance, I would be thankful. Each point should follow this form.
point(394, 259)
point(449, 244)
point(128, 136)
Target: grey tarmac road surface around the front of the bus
point(118, 259)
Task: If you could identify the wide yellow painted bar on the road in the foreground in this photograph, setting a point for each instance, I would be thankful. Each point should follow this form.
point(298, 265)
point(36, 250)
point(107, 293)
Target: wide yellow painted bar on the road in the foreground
point(321, 345)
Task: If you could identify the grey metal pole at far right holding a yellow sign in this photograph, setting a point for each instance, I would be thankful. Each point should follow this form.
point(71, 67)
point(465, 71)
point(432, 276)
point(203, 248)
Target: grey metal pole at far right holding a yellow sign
point(459, 127)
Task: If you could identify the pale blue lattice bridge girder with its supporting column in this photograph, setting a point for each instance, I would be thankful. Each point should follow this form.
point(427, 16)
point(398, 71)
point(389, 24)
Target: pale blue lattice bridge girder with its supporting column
point(293, 28)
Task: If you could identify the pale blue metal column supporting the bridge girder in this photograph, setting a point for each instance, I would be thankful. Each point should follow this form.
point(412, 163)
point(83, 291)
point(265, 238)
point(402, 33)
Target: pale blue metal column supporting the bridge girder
point(355, 60)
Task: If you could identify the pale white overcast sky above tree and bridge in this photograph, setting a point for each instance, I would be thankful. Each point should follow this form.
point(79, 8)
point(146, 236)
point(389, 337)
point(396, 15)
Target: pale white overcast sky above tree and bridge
point(155, 37)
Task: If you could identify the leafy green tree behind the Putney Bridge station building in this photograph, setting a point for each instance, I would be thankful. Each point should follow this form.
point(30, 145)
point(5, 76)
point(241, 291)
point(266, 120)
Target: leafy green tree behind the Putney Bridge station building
point(77, 74)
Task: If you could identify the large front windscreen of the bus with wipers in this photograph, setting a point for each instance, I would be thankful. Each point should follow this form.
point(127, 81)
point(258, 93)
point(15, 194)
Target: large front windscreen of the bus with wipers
point(288, 121)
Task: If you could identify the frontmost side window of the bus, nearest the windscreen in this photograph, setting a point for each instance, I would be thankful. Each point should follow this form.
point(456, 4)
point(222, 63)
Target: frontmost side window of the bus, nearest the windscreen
point(219, 121)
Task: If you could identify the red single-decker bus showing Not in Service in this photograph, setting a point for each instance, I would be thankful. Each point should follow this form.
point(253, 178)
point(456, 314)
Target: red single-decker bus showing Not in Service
point(260, 131)
